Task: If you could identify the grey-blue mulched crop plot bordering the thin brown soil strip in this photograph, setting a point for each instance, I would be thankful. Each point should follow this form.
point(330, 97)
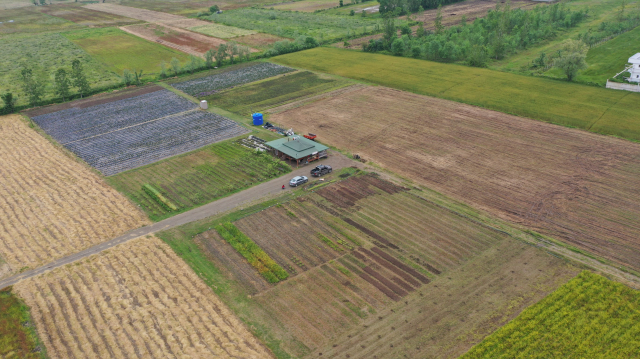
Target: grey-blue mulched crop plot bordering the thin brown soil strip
point(76, 123)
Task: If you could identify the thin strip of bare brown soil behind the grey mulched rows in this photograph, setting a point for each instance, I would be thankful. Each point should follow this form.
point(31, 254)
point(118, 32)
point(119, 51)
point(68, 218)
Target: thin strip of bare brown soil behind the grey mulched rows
point(95, 100)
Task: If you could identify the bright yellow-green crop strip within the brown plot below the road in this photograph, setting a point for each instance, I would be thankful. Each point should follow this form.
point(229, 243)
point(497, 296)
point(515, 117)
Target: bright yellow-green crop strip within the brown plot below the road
point(260, 260)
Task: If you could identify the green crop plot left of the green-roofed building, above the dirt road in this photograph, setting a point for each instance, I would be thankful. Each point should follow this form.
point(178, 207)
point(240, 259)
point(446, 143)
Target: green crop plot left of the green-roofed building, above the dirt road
point(197, 178)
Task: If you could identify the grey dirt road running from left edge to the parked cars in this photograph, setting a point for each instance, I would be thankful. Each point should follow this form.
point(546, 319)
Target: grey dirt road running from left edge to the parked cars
point(335, 160)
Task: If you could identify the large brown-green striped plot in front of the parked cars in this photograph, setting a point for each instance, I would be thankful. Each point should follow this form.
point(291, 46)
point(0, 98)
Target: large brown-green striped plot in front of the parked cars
point(373, 264)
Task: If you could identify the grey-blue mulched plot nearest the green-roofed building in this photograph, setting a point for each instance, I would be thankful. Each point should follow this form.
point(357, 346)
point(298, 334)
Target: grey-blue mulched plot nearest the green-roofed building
point(149, 142)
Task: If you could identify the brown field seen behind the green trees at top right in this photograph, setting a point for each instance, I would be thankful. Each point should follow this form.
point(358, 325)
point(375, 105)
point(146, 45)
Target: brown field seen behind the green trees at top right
point(451, 15)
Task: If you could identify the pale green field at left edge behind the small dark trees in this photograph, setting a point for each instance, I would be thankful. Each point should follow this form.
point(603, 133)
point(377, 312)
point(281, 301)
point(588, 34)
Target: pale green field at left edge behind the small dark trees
point(45, 53)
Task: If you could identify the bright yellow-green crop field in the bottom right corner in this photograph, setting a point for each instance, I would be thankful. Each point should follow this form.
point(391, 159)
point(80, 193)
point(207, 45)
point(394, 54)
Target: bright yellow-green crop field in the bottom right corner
point(589, 317)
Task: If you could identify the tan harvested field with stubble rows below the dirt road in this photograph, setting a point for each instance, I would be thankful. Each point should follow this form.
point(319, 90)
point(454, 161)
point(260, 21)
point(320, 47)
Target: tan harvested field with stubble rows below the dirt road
point(137, 300)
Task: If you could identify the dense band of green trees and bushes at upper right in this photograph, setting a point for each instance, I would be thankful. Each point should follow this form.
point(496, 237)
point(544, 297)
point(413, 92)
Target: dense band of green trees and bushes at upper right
point(503, 31)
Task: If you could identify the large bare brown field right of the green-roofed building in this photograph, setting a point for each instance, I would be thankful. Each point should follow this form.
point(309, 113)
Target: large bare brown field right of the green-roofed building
point(576, 186)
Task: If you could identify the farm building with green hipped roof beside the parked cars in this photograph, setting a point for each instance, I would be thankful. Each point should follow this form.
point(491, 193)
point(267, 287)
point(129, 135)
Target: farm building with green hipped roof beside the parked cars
point(298, 149)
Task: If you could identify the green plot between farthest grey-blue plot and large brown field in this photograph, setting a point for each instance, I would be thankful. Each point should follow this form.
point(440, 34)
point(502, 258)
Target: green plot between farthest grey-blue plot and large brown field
point(270, 93)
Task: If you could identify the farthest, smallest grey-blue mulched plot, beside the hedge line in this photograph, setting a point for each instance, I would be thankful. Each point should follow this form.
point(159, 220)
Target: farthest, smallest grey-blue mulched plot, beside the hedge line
point(208, 85)
